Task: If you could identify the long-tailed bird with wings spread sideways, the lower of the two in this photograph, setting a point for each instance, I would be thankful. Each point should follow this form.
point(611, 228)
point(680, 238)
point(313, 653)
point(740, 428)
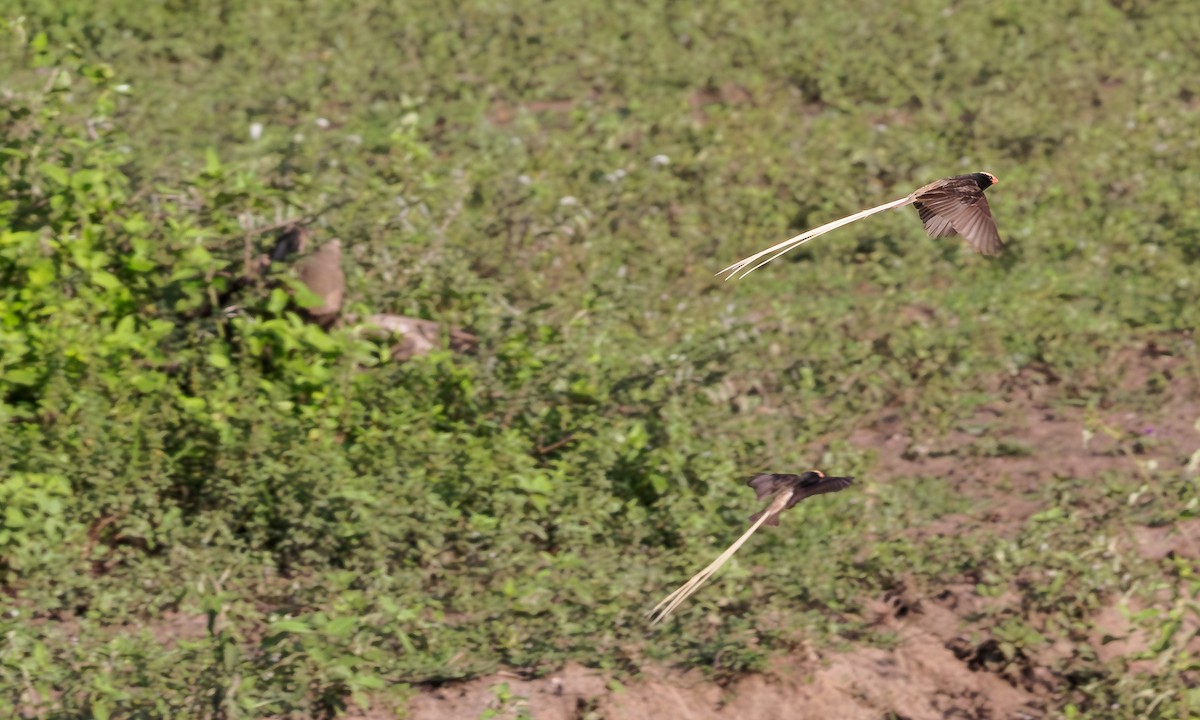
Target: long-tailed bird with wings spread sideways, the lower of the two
point(789, 490)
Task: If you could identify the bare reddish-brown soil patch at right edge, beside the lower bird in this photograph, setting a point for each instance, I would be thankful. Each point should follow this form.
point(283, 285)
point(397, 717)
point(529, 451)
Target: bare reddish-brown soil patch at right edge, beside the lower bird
point(1031, 435)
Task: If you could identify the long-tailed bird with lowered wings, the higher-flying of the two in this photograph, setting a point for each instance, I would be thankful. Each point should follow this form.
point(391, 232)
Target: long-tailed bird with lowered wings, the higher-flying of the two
point(950, 207)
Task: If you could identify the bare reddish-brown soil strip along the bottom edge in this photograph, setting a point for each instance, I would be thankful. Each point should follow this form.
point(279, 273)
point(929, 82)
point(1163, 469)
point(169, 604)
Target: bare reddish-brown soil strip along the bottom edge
point(920, 680)
